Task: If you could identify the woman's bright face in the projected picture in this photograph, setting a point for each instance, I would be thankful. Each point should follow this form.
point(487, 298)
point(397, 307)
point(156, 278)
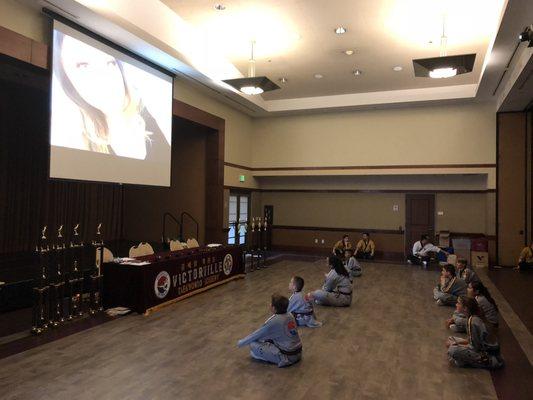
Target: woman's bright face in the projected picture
point(95, 75)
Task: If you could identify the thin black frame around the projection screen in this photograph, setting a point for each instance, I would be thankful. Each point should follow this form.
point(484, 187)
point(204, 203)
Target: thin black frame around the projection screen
point(93, 35)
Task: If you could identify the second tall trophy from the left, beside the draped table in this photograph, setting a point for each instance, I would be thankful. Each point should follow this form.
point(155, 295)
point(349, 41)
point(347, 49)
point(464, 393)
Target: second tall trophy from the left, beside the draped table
point(57, 287)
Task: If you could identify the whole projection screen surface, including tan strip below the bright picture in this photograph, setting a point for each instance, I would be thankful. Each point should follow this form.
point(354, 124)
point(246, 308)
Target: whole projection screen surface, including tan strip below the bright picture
point(106, 106)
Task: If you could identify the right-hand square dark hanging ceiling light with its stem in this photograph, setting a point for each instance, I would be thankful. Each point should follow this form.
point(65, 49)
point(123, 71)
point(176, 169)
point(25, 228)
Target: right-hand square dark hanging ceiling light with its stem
point(444, 66)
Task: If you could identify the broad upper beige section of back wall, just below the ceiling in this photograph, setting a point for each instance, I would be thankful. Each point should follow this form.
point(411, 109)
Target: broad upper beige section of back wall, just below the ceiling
point(453, 134)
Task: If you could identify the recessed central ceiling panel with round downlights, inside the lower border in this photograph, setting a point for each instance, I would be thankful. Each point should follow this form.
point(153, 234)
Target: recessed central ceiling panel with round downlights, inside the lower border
point(295, 39)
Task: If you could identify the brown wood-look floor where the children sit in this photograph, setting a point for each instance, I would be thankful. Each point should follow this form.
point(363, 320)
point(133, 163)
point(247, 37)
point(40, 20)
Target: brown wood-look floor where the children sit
point(388, 345)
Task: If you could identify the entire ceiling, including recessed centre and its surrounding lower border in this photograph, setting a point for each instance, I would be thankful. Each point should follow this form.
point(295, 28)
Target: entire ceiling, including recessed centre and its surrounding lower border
point(295, 39)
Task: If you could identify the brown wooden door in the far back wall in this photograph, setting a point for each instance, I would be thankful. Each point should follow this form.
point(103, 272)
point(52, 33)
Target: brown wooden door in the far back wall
point(419, 218)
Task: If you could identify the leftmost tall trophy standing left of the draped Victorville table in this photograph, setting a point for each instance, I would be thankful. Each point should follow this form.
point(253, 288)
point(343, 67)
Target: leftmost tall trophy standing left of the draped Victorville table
point(41, 303)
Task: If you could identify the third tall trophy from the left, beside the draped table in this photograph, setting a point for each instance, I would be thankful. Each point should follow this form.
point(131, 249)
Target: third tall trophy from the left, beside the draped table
point(75, 281)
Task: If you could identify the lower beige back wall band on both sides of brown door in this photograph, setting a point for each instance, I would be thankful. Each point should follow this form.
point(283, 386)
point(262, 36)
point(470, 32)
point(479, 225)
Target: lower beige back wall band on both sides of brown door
point(463, 212)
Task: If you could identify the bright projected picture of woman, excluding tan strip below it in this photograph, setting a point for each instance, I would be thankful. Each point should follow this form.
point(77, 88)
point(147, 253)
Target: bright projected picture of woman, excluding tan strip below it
point(106, 103)
